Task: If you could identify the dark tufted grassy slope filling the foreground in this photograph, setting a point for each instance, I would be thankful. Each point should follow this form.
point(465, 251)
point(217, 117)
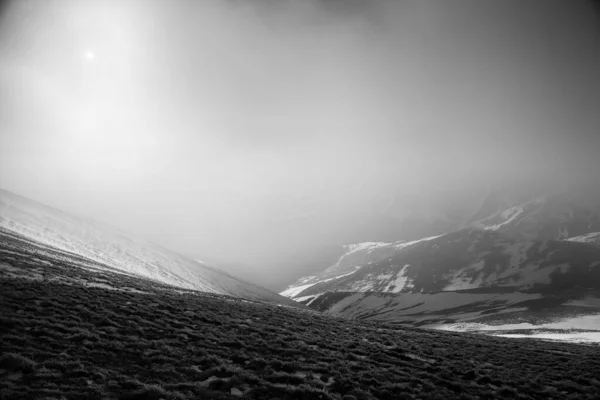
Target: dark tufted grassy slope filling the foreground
point(98, 334)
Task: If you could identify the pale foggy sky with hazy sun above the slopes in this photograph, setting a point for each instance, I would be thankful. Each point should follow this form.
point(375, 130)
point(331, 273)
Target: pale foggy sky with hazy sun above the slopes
point(259, 130)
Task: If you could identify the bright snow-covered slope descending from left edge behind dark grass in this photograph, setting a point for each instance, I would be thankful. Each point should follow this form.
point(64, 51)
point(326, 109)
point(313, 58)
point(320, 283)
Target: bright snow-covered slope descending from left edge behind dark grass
point(116, 249)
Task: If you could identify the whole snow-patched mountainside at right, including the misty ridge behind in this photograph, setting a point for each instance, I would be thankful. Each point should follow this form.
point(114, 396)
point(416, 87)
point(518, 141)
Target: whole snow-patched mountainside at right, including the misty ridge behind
point(543, 248)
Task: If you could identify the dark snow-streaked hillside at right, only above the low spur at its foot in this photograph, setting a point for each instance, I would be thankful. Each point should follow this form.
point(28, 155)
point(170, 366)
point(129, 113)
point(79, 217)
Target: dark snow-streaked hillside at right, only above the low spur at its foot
point(461, 260)
